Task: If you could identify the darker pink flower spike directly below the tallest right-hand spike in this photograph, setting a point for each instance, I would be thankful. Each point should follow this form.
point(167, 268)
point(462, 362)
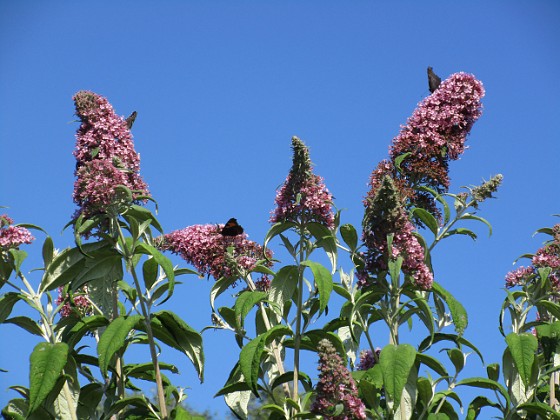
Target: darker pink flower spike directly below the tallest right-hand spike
point(385, 215)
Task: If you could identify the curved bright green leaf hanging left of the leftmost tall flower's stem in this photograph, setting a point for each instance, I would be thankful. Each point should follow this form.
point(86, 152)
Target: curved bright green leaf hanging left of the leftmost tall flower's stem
point(113, 339)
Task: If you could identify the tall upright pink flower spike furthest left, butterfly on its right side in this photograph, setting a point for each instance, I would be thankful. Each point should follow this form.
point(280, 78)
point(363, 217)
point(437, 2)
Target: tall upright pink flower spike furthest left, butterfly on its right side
point(105, 156)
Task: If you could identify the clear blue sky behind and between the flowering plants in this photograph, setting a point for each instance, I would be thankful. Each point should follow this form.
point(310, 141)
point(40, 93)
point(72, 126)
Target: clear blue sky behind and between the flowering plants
point(221, 87)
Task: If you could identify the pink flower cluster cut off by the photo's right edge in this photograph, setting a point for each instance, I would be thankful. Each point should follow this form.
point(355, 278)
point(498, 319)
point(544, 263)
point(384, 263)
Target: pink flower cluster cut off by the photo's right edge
point(547, 256)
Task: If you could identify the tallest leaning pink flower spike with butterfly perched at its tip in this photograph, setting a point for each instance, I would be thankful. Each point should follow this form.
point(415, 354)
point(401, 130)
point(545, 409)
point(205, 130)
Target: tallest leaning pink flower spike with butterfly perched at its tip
point(434, 134)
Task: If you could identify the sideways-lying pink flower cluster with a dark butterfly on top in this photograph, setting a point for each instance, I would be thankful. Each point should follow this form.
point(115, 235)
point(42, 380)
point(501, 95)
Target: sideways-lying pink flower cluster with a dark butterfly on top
point(206, 249)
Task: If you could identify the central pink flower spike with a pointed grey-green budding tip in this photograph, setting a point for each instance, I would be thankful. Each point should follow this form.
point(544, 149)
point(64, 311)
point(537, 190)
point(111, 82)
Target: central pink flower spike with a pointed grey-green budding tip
point(303, 197)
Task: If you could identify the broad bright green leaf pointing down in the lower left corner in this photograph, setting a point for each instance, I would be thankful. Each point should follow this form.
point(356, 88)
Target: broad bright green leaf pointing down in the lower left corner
point(47, 363)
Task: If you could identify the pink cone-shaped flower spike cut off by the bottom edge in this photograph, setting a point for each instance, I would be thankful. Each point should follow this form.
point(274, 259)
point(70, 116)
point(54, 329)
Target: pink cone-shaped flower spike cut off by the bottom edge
point(336, 387)
